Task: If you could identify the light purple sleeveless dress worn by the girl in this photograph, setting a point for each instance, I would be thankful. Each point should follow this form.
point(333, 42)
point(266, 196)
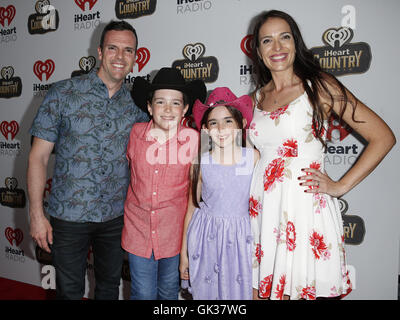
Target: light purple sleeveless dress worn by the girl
point(219, 234)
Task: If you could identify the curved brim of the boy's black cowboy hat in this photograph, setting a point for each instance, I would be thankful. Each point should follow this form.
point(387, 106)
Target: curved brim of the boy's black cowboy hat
point(194, 90)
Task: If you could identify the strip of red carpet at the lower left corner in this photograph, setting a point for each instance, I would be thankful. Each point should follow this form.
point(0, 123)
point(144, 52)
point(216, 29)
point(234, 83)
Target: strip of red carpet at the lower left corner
point(15, 290)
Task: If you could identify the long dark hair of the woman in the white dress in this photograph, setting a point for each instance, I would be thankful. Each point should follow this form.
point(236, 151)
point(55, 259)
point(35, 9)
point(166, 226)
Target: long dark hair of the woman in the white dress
point(306, 67)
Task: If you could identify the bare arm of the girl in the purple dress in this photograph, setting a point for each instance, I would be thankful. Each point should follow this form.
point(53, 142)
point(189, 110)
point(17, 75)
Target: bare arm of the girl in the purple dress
point(184, 260)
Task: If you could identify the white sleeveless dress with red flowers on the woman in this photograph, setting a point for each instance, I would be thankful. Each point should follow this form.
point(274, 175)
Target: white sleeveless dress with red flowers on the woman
point(298, 236)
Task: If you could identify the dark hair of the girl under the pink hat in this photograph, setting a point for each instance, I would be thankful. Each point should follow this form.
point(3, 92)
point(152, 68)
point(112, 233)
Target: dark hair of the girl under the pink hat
point(237, 116)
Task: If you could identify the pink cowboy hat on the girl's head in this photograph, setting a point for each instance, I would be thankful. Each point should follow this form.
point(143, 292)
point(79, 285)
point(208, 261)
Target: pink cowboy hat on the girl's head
point(223, 96)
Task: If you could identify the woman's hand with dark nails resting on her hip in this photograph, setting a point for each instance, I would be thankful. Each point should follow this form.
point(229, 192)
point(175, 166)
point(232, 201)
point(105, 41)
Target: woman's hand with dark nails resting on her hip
point(317, 182)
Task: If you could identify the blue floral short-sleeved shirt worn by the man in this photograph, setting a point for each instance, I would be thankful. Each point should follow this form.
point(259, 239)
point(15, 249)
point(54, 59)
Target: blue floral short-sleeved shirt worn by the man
point(90, 132)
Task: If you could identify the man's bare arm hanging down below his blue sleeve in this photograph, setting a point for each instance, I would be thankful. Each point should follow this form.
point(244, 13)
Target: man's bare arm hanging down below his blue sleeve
point(40, 228)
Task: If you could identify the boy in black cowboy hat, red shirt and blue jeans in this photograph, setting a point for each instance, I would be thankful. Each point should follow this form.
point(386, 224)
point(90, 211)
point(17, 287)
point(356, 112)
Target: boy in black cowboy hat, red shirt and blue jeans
point(160, 153)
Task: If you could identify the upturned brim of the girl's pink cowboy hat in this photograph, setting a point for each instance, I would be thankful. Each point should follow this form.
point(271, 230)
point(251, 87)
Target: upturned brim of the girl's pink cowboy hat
point(244, 104)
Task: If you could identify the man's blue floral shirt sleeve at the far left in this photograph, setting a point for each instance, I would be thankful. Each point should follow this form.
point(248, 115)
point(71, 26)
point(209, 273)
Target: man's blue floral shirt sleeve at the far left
point(47, 121)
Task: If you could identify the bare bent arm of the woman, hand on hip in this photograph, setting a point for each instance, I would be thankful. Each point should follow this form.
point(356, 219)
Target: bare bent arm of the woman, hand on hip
point(373, 129)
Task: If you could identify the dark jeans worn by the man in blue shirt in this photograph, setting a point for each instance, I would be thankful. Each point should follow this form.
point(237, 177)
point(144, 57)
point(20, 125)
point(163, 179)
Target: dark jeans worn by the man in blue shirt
point(71, 242)
